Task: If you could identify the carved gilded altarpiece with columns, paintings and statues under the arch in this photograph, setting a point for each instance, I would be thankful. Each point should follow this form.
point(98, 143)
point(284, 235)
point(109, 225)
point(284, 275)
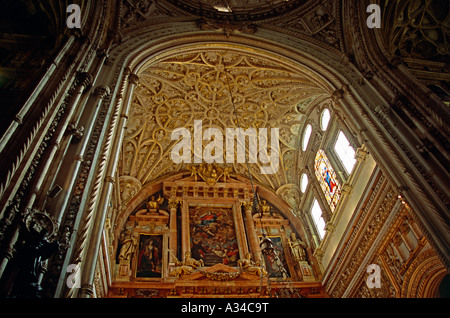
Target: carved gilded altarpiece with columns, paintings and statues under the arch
point(200, 237)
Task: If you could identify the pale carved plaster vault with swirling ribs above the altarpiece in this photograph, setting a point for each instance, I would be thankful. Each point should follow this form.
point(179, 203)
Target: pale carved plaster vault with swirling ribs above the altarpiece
point(177, 90)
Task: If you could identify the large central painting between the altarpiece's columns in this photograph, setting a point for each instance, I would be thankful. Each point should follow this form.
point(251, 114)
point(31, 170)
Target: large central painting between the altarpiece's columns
point(213, 235)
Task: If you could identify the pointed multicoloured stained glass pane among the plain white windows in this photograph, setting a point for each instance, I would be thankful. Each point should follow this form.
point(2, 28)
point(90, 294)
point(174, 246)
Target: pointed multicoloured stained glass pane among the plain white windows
point(327, 178)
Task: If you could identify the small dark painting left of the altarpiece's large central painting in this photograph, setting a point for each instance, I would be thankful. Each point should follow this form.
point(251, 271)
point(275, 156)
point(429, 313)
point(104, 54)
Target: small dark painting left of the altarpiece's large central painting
point(149, 257)
